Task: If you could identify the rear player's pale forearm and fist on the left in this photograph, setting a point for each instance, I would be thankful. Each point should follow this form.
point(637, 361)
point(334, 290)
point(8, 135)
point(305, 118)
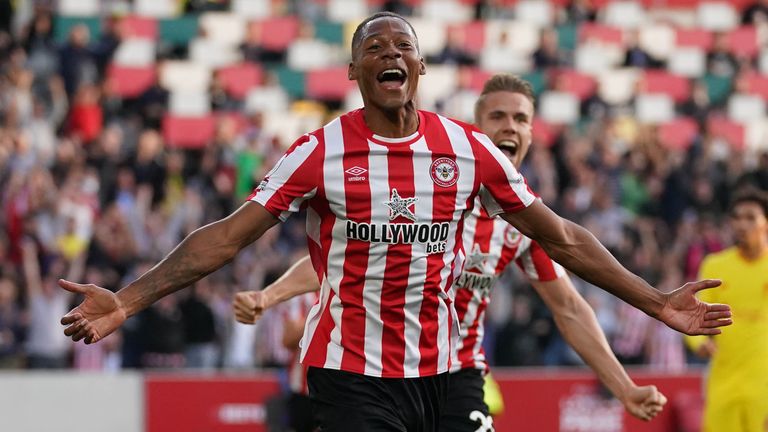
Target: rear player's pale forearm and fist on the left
point(299, 279)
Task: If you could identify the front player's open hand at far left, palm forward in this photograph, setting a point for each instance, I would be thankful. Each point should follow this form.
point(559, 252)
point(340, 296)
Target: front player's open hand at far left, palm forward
point(97, 316)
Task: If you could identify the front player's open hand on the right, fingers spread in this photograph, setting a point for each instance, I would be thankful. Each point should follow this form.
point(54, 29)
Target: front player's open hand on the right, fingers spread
point(687, 314)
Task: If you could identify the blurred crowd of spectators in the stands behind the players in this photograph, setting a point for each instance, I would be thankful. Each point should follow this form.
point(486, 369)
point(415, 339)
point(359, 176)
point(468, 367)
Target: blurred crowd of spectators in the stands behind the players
point(91, 190)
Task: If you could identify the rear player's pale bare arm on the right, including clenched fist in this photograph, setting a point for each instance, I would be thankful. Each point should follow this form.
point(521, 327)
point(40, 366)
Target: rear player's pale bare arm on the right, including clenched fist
point(578, 325)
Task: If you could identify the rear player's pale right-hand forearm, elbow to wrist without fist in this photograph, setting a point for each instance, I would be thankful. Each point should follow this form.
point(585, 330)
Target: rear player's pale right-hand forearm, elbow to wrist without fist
point(581, 331)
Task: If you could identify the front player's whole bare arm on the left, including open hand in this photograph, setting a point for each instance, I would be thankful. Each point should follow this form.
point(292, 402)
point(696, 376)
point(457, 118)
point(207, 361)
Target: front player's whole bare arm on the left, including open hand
point(202, 252)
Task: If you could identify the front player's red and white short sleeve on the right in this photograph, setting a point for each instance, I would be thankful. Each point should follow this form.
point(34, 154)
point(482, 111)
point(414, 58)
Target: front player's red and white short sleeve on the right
point(502, 188)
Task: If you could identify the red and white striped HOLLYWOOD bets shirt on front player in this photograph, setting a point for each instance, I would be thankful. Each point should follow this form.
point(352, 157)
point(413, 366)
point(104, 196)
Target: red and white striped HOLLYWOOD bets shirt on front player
point(385, 219)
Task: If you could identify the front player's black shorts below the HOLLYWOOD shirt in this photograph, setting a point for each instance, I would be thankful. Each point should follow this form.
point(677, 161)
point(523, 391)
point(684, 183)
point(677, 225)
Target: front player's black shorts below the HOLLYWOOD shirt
point(345, 401)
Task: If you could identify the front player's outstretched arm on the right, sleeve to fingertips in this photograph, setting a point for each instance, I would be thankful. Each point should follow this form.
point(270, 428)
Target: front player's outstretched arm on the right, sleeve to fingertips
point(578, 250)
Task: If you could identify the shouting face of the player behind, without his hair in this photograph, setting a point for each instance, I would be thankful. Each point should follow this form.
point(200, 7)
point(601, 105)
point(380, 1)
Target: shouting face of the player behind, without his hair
point(506, 117)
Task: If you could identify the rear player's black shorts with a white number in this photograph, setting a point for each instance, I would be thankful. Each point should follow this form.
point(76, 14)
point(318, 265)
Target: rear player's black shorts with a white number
point(466, 410)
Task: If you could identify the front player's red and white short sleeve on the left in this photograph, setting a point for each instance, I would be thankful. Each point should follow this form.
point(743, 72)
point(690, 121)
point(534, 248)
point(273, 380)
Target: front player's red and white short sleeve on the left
point(293, 180)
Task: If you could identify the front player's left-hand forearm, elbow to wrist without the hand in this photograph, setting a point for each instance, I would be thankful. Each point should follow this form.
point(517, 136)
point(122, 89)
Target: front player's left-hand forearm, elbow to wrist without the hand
point(201, 253)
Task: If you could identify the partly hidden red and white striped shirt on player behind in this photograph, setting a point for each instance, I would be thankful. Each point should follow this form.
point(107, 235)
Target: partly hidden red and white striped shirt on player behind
point(490, 244)
